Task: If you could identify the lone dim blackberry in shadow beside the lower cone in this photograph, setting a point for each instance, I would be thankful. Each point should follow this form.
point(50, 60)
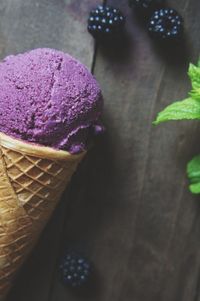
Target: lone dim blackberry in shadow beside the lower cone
point(75, 270)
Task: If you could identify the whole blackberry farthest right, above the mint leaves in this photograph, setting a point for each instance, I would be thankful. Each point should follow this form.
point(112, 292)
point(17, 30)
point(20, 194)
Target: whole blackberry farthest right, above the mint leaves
point(166, 24)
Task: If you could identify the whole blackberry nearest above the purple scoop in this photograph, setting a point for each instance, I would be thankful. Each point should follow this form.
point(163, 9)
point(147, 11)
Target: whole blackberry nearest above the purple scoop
point(105, 22)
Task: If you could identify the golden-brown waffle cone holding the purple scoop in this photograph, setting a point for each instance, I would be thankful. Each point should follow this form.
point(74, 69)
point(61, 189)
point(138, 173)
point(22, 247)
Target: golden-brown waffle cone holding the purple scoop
point(32, 179)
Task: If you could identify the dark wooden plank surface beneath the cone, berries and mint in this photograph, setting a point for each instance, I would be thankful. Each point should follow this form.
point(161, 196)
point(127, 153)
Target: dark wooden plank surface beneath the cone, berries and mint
point(128, 207)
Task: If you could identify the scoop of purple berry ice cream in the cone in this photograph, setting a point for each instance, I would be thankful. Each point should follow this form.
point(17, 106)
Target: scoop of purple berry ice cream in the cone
point(49, 98)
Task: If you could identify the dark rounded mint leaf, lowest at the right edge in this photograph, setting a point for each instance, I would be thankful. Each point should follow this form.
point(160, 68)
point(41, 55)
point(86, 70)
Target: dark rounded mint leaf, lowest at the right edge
point(193, 172)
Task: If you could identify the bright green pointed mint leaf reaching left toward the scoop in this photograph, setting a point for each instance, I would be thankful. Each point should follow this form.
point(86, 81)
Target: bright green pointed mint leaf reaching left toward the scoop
point(185, 109)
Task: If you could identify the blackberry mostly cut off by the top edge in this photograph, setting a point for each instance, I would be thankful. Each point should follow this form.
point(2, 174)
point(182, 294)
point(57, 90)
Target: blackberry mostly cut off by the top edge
point(146, 5)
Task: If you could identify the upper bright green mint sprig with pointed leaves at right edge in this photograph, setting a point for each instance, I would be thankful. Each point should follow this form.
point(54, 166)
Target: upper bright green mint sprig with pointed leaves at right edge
point(188, 108)
